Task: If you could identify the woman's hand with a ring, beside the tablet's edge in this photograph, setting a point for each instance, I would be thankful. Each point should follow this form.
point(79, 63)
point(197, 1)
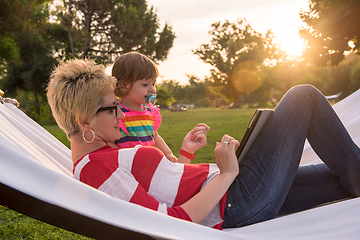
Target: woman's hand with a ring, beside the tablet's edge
point(225, 155)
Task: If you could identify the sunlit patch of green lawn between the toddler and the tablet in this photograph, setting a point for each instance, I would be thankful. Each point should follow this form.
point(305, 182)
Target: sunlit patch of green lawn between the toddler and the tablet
point(176, 125)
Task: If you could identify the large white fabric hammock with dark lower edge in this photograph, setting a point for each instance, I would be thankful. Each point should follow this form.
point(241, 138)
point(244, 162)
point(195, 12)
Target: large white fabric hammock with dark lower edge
point(36, 179)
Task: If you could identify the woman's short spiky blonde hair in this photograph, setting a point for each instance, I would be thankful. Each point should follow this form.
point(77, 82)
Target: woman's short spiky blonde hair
point(75, 92)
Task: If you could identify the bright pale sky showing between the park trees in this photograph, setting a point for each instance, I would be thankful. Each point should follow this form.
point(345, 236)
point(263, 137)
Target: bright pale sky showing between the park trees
point(191, 21)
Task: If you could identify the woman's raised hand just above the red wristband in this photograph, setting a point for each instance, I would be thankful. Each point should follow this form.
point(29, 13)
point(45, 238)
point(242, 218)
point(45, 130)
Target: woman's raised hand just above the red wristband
point(196, 138)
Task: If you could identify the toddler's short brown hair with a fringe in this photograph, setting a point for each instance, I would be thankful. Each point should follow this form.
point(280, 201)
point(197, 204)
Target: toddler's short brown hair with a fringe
point(130, 67)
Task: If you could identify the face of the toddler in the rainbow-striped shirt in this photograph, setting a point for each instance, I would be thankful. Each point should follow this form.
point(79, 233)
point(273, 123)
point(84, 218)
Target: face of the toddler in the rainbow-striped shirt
point(140, 90)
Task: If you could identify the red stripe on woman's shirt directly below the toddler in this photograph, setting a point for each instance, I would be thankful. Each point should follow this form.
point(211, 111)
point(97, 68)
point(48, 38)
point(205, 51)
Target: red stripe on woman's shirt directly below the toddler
point(143, 171)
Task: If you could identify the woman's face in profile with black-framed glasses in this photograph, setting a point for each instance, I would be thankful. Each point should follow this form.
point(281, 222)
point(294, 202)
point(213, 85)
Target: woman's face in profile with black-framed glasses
point(105, 123)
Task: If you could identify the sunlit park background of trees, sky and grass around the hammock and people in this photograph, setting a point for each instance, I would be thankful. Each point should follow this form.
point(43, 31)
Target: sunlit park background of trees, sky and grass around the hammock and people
point(222, 58)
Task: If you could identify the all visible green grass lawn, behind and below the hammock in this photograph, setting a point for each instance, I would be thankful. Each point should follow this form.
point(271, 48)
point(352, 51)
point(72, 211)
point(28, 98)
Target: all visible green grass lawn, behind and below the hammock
point(174, 127)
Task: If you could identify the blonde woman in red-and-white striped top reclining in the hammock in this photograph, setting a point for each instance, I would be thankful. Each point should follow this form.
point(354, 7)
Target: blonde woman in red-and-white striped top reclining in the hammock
point(268, 182)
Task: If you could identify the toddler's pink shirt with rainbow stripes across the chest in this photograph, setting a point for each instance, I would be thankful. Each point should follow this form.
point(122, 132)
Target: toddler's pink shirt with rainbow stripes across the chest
point(138, 127)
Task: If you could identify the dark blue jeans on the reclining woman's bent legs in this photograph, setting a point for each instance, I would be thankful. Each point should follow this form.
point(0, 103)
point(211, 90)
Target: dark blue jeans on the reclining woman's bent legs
point(270, 181)
